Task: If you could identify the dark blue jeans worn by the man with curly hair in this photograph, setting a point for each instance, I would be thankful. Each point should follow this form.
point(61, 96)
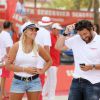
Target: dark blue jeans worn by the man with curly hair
point(82, 89)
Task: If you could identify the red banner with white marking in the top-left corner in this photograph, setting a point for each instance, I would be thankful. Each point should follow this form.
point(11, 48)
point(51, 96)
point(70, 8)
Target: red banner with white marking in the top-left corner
point(7, 9)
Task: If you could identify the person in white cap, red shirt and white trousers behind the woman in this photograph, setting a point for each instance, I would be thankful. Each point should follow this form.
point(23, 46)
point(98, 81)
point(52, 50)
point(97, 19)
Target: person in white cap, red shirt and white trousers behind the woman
point(51, 79)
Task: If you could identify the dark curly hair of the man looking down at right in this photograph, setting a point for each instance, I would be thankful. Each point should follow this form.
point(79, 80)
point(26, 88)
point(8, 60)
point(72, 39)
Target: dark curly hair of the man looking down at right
point(83, 24)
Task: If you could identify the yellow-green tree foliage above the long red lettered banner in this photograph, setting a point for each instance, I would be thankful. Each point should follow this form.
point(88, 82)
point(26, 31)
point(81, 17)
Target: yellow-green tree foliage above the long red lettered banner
point(71, 4)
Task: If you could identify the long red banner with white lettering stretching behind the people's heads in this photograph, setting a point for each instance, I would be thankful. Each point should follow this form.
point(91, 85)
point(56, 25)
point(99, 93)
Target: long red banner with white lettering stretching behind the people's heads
point(64, 17)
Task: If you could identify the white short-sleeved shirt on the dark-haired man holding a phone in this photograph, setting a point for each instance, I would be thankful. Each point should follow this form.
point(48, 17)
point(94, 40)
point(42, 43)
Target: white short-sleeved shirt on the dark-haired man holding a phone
point(85, 53)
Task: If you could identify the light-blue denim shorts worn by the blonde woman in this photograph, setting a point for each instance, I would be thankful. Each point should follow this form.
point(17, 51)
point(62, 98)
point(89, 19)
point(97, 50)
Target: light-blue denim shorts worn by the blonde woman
point(19, 86)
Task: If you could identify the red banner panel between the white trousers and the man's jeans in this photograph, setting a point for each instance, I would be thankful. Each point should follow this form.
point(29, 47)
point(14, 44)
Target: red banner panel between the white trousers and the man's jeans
point(64, 78)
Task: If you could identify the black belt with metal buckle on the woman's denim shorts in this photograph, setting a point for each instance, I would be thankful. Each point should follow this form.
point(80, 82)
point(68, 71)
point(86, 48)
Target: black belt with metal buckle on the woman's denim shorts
point(27, 79)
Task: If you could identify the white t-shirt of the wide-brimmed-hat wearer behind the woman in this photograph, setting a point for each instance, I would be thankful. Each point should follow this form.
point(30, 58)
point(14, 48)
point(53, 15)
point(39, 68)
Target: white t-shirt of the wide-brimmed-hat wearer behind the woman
point(43, 39)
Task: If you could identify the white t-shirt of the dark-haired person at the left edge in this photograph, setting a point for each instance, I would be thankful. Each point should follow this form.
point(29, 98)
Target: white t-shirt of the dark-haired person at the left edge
point(5, 41)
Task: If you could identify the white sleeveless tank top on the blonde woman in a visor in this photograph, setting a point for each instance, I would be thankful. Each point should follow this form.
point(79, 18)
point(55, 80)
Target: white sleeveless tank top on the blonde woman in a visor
point(25, 60)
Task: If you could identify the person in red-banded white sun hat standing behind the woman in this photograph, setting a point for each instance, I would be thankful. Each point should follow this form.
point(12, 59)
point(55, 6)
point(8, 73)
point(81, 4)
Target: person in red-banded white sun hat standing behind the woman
point(43, 39)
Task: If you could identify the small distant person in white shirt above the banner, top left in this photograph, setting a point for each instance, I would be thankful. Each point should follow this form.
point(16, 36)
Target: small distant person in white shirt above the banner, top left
point(20, 7)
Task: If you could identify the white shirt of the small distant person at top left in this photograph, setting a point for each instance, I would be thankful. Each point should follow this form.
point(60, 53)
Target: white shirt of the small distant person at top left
point(20, 9)
